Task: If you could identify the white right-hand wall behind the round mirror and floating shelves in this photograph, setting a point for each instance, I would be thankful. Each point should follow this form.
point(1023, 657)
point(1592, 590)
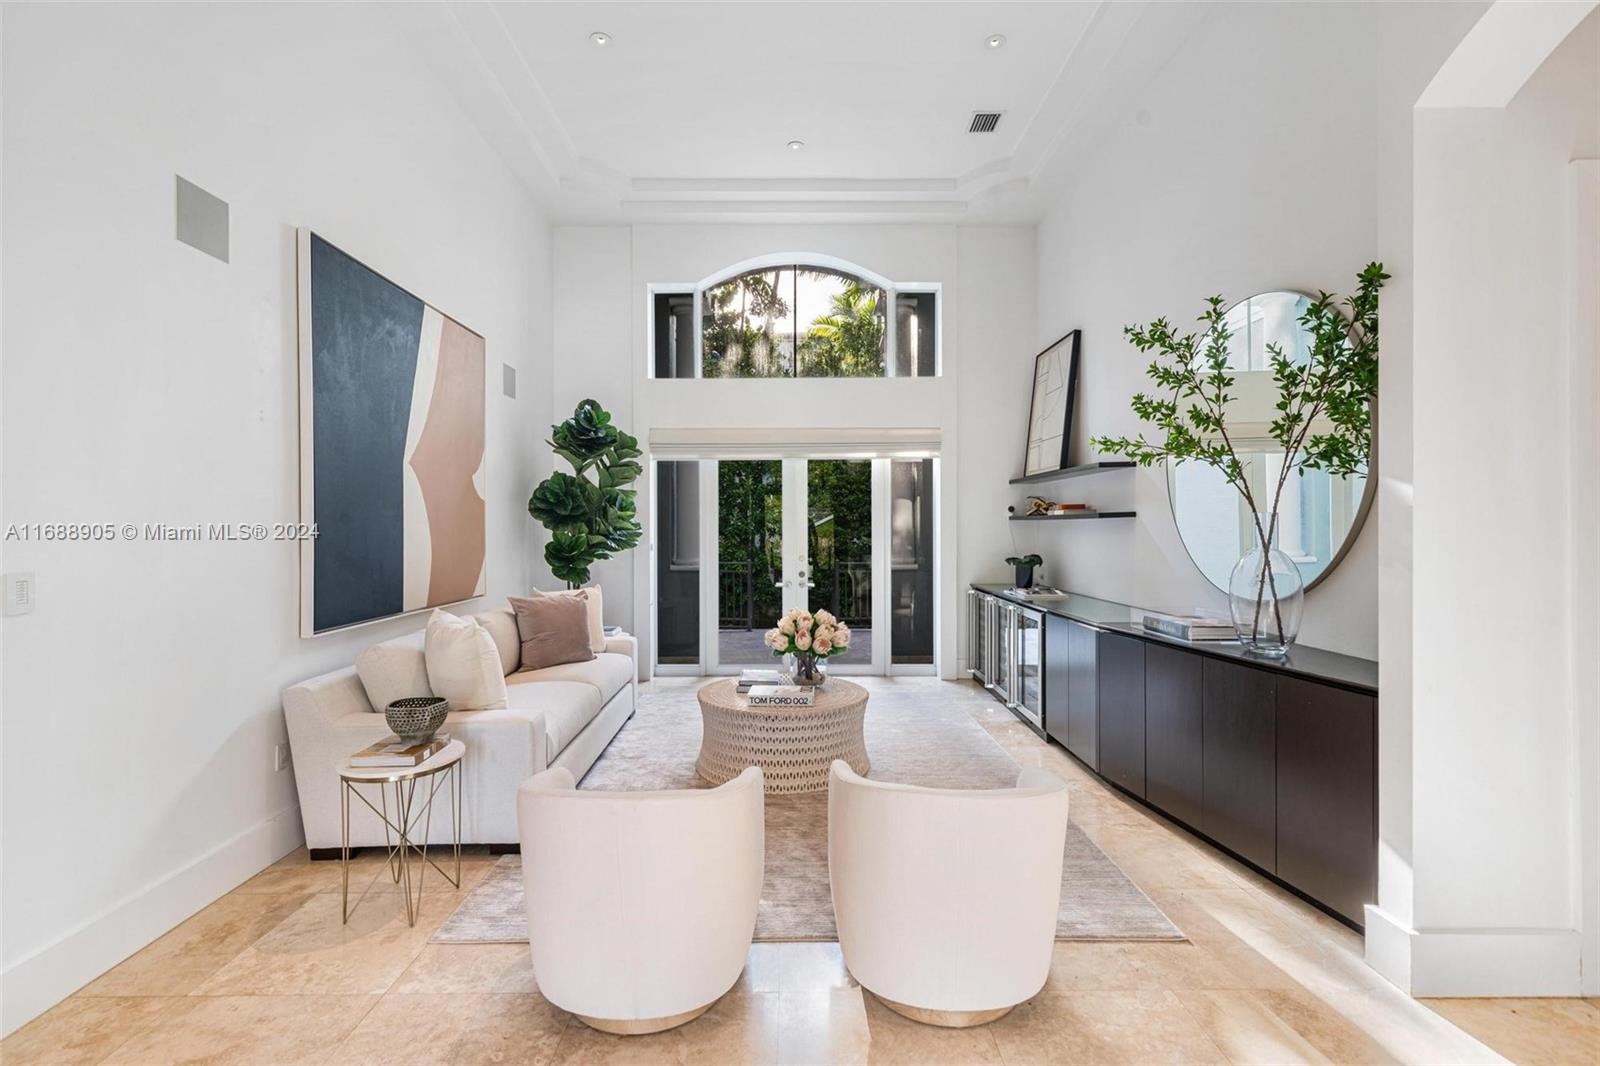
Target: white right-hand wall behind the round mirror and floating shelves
point(1212, 185)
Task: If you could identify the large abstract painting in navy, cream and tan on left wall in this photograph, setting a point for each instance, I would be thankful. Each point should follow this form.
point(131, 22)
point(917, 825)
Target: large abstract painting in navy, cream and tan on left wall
point(391, 447)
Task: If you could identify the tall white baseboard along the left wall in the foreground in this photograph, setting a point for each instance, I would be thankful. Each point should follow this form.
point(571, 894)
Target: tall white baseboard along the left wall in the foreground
point(41, 980)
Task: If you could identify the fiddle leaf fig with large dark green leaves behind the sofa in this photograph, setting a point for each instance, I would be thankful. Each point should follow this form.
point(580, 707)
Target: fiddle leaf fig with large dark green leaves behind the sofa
point(590, 519)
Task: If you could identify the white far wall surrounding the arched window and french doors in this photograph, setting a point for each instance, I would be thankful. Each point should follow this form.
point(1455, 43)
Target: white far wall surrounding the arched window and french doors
point(988, 315)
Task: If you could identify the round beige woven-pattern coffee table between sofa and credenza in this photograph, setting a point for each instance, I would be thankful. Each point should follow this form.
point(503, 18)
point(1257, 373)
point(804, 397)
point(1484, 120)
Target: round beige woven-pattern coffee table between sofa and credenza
point(794, 747)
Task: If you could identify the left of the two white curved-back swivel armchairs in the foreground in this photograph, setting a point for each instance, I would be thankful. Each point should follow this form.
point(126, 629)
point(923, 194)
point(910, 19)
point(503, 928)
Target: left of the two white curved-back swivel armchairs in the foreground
point(641, 905)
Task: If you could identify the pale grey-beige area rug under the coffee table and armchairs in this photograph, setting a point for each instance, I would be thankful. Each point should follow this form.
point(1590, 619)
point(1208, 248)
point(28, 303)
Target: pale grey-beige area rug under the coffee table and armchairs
point(918, 734)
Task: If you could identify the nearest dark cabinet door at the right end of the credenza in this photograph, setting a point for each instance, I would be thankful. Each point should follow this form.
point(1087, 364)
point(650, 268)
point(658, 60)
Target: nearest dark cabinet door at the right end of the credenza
point(1327, 804)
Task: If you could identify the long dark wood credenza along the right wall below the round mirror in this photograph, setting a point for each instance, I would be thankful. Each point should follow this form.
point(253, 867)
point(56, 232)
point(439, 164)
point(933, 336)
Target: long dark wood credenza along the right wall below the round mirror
point(1276, 763)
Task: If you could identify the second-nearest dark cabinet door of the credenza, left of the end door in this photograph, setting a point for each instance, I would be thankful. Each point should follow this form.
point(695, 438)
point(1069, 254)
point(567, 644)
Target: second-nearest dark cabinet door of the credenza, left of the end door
point(1239, 711)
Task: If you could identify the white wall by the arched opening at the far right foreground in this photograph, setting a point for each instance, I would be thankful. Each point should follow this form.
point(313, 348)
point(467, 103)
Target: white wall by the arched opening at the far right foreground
point(1505, 454)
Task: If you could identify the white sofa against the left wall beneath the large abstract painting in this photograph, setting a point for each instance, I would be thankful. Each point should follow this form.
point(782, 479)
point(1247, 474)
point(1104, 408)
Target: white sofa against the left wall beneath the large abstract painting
point(562, 716)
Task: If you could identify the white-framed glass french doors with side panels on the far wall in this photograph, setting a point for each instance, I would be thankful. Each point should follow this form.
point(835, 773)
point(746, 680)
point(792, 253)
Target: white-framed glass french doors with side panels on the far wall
point(742, 542)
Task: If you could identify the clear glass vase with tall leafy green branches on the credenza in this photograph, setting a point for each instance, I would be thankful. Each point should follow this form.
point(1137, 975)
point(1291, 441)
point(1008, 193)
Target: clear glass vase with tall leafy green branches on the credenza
point(1324, 423)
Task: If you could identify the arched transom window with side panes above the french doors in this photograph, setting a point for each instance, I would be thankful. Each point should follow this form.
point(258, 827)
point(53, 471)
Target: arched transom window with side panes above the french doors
point(794, 318)
